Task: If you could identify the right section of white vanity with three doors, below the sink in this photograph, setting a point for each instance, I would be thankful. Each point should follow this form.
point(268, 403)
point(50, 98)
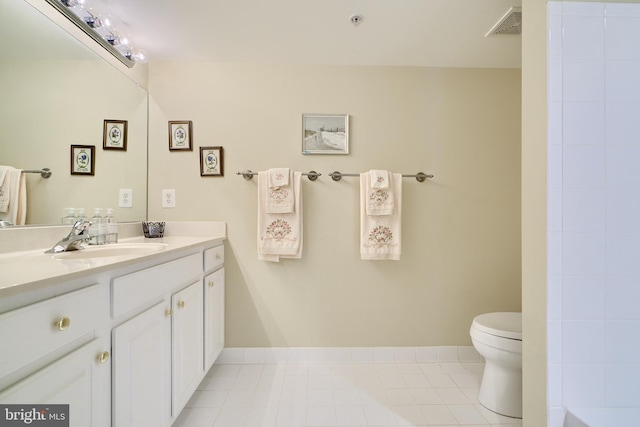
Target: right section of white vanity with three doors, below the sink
point(159, 352)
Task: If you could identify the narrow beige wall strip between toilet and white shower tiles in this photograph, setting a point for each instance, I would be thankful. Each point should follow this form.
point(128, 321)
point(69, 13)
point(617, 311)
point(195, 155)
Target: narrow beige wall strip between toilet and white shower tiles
point(534, 202)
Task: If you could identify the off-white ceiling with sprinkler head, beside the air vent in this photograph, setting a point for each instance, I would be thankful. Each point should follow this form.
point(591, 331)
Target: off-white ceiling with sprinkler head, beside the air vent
point(431, 33)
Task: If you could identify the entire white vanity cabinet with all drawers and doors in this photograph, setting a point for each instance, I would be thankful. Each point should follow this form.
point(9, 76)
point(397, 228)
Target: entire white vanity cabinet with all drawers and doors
point(124, 345)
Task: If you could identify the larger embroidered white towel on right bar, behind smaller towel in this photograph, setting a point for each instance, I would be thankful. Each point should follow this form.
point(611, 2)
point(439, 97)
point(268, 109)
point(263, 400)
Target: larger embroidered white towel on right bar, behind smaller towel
point(380, 236)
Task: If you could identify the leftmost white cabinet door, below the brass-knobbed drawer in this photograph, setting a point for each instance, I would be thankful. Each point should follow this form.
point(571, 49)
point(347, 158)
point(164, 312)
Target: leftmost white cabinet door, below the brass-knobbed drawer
point(81, 379)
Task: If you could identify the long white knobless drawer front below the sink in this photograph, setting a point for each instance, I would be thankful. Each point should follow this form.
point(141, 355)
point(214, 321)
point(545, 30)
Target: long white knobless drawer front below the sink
point(142, 288)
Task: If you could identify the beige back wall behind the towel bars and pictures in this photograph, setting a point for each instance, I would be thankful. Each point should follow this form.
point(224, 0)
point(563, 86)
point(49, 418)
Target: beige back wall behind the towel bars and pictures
point(461, 230)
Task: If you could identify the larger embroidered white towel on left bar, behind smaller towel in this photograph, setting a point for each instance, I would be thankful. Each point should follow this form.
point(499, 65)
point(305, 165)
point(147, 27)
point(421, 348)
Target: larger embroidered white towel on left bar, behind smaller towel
point(279, 235)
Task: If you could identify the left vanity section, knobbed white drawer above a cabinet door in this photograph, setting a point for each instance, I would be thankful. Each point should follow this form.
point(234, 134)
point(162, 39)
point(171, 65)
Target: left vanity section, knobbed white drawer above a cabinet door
point(56, 352)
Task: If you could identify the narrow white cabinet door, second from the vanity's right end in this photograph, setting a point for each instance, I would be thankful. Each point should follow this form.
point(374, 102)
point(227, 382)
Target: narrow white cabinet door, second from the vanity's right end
point(187, 345)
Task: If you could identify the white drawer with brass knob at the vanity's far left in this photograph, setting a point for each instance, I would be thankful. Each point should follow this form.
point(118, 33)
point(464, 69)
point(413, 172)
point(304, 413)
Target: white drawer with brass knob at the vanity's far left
point(30, 333)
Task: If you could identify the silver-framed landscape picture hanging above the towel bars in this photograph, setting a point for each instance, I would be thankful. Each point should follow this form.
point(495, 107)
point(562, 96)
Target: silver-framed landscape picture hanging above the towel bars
point(325, 134)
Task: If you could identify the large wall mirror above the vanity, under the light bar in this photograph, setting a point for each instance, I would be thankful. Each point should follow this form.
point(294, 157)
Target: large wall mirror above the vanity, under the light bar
point(56, 92)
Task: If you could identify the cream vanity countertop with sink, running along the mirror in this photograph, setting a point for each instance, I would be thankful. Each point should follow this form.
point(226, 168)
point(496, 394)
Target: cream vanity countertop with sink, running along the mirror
point(32, 269)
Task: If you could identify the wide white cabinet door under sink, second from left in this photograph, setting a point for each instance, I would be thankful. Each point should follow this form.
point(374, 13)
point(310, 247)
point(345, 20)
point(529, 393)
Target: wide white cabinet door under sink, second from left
point(142, 369)
